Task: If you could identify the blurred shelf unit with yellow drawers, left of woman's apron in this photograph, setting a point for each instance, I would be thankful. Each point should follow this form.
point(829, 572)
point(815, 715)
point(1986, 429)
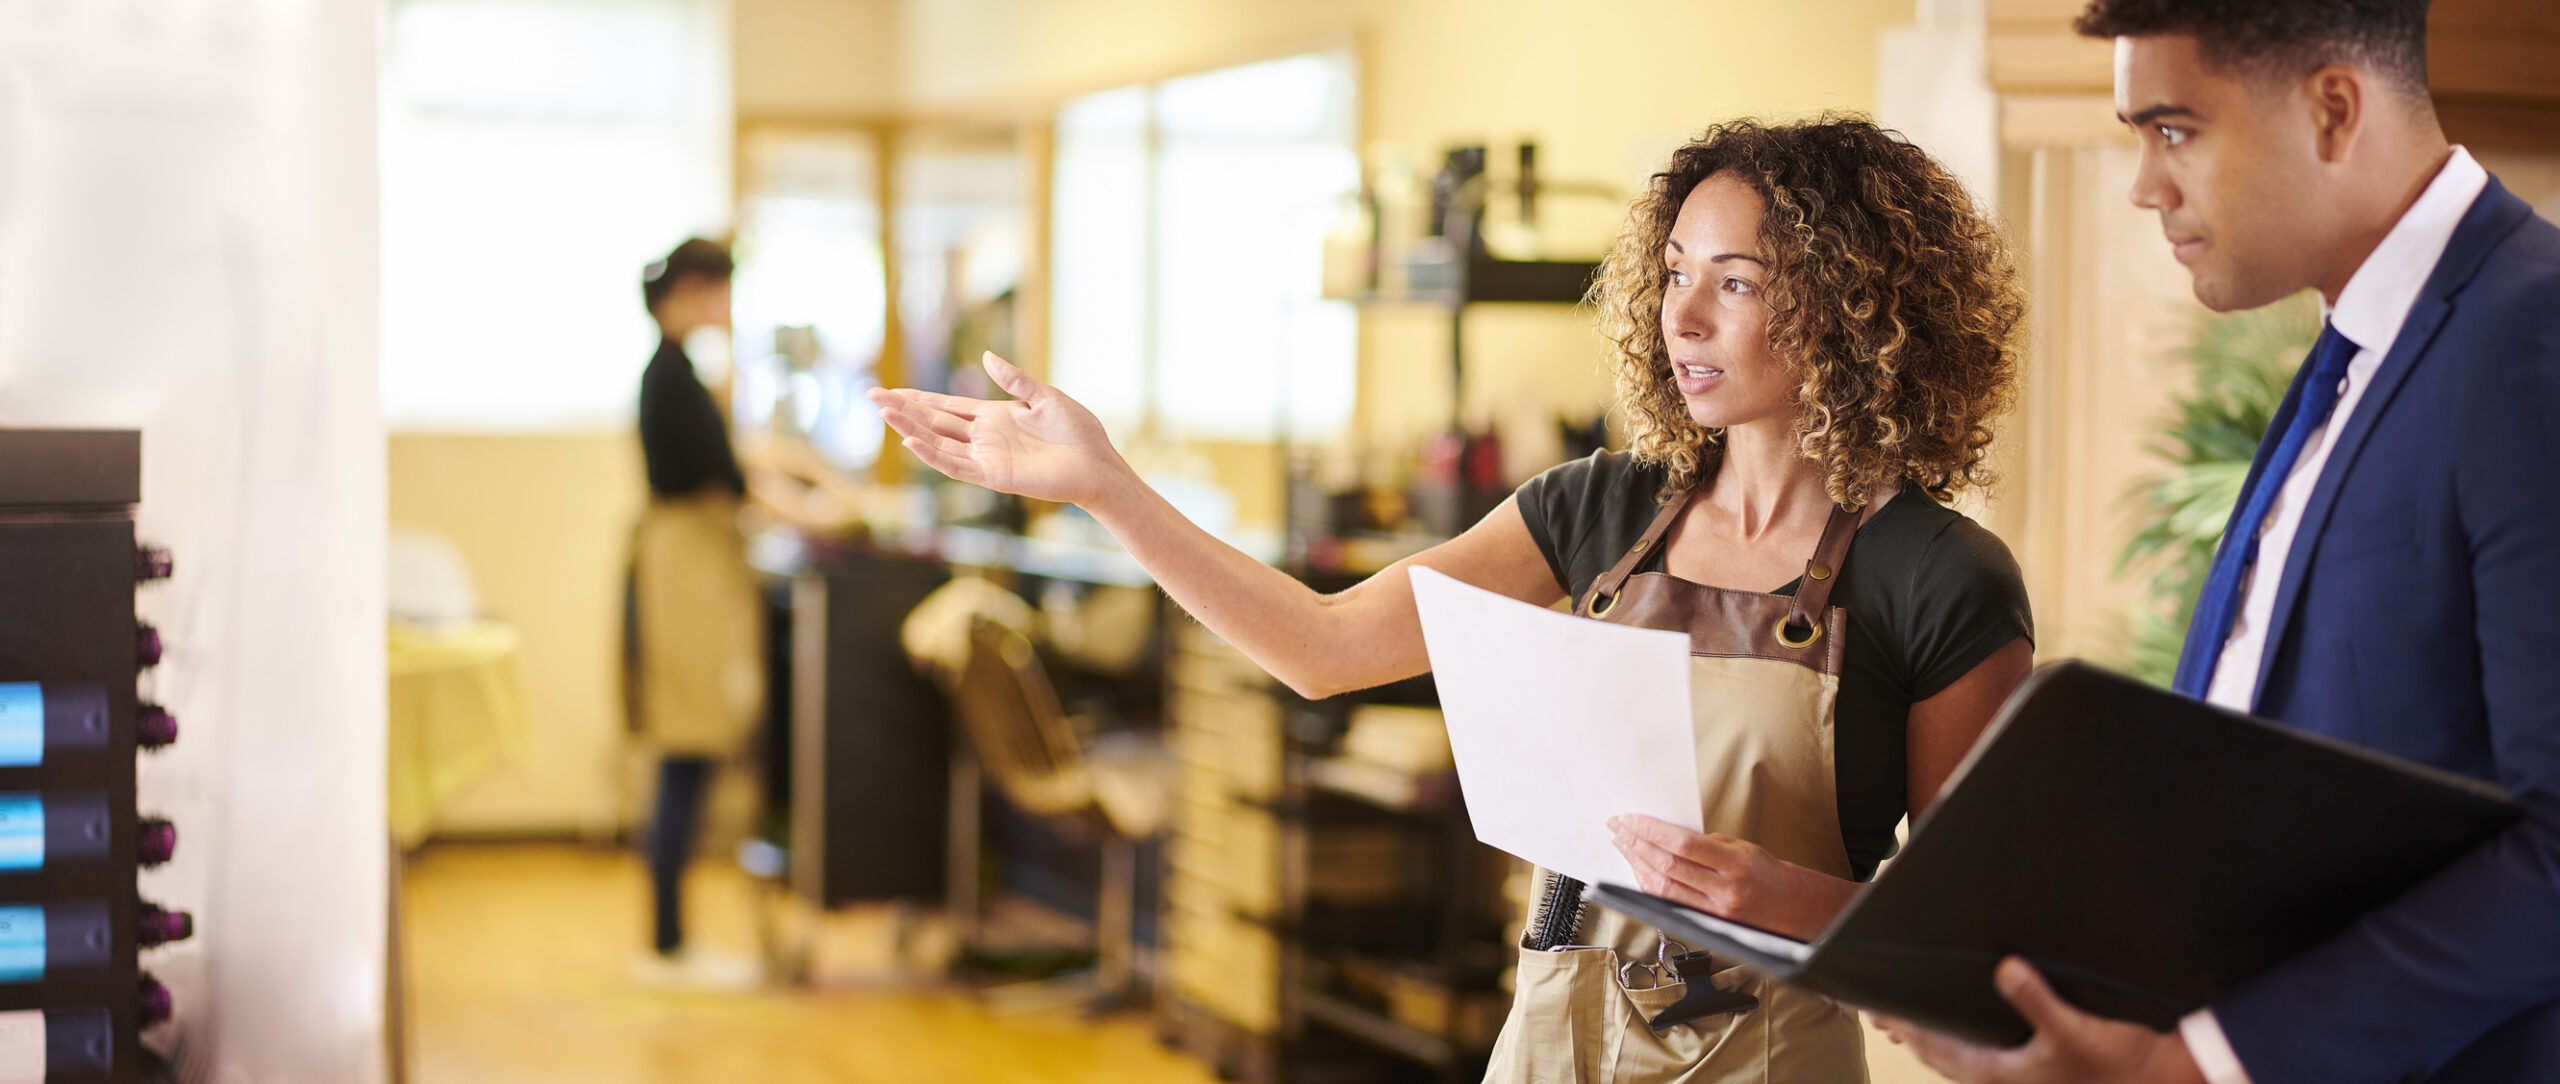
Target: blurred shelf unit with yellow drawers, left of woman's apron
point(1317, 934)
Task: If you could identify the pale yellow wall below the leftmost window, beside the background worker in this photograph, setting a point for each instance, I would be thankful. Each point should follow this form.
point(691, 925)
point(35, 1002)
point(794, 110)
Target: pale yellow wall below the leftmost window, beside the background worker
point(544, 521)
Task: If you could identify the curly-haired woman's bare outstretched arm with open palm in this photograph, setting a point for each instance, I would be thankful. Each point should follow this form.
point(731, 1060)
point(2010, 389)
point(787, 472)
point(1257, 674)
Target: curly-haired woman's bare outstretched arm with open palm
point(1051, 447)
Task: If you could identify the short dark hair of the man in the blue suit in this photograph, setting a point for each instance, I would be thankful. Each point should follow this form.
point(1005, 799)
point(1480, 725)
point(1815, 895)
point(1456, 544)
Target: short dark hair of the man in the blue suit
point(2280, 37)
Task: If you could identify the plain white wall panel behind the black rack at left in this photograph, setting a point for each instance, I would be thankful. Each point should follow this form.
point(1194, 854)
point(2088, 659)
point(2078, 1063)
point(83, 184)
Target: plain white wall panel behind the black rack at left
point(188, 247)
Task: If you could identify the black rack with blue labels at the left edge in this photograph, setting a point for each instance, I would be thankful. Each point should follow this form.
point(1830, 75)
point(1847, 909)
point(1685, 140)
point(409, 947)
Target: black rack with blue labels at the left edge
point(73, 719)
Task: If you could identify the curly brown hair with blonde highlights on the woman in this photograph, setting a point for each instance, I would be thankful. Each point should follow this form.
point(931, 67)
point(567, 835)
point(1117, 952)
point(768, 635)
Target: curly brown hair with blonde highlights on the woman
point(1888, 293)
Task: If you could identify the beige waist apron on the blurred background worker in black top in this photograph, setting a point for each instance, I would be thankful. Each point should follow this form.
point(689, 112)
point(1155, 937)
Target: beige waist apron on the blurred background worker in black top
point(703, 629)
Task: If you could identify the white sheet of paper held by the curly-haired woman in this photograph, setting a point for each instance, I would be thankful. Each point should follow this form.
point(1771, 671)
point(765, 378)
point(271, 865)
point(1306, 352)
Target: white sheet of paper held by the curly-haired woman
point(1560, 724)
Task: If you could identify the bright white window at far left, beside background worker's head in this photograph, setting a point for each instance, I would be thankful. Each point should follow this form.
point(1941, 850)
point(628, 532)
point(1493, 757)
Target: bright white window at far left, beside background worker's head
point(536, 155)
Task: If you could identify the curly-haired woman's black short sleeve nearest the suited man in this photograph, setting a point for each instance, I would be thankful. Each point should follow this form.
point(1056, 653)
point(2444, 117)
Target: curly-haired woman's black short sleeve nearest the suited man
point(1967, 604)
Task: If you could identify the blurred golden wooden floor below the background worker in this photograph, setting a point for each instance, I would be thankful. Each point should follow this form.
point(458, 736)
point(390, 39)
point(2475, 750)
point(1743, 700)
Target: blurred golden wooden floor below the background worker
point(518, 973)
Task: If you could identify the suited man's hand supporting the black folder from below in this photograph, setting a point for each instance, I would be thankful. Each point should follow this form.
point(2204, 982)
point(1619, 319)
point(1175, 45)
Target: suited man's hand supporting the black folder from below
point(2070, 1047)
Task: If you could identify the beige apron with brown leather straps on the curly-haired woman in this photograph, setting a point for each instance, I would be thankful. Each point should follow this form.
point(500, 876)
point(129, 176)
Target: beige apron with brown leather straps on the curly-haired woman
point(1765, 675)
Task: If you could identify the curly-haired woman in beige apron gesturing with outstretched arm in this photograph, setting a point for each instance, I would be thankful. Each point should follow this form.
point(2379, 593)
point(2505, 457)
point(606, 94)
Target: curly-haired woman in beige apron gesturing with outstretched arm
point(1814, 329)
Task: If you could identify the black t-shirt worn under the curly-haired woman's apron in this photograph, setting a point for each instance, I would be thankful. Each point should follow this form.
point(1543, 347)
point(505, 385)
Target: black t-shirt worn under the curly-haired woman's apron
point(1929, 596)
